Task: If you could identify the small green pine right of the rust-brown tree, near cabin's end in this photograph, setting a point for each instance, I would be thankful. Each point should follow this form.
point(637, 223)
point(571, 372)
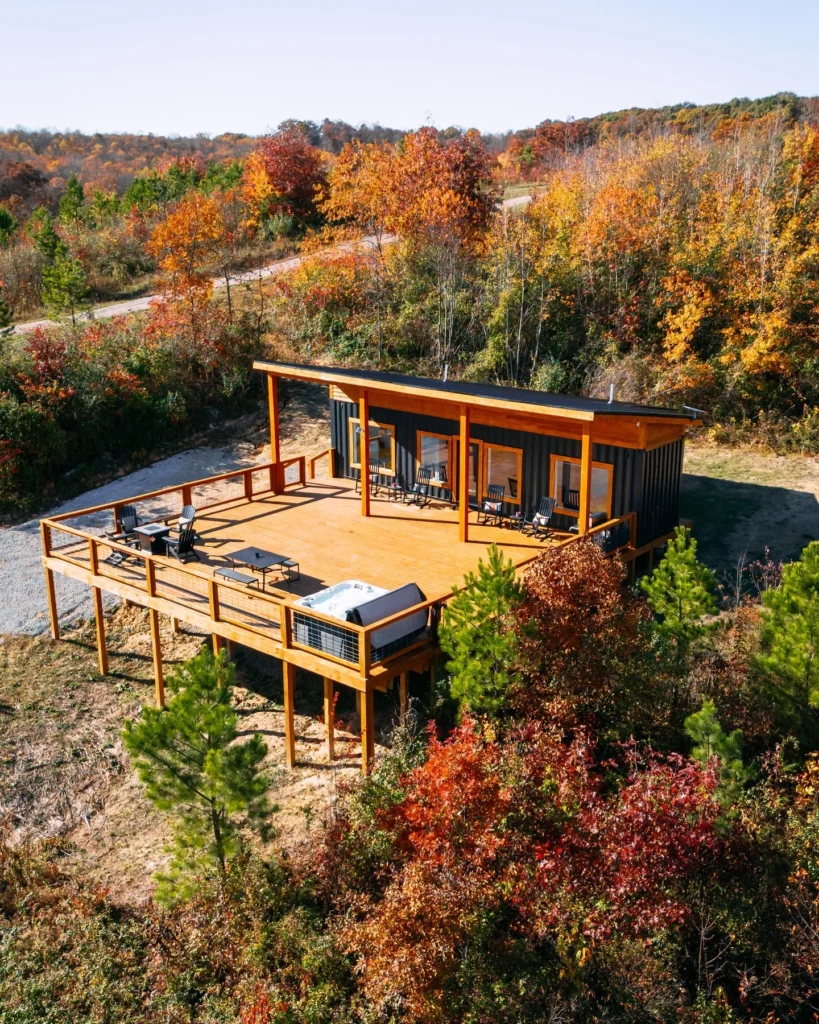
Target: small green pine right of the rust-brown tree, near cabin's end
point(680, 592)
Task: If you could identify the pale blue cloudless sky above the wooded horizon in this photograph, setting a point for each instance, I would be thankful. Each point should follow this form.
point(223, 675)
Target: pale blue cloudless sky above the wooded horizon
point(185, 67)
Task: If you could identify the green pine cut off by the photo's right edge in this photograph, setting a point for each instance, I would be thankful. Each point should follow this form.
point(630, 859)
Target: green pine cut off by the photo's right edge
point(791, 632)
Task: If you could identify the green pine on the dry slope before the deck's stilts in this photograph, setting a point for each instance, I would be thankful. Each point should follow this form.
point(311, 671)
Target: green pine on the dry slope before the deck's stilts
point(193, 769)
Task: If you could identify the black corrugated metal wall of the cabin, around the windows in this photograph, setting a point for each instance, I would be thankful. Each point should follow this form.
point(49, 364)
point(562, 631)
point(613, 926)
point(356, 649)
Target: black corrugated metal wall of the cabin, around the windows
point(637, 475)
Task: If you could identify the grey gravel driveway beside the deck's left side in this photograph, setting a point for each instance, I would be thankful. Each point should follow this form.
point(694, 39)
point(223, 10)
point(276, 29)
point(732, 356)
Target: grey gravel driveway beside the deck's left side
point(23, 602)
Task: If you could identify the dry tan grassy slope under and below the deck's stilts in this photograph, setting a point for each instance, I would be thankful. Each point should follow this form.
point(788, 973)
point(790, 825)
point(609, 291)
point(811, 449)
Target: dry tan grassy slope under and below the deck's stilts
point(64, 772)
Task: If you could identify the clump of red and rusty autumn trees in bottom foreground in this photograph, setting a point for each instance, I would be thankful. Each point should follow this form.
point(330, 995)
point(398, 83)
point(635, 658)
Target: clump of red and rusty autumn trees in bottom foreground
point(526, 838)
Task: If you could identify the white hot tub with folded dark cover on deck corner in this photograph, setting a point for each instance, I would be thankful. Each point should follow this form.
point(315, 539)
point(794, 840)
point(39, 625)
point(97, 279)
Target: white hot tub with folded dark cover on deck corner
point(362, 604)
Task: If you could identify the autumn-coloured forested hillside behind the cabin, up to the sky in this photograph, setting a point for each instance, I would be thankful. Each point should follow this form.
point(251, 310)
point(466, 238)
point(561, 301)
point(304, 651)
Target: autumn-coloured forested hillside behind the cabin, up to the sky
point(671, 254)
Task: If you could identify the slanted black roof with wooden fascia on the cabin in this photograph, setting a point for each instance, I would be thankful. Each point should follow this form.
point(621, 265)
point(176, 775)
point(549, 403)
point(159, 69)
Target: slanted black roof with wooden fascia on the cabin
point(495, 392)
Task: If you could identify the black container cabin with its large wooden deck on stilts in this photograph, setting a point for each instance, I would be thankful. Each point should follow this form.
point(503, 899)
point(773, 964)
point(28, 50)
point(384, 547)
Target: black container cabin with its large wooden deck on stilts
point(347, 575)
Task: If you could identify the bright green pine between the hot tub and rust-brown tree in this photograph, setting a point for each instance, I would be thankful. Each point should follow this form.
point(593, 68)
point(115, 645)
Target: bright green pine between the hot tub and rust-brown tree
point(477, 637)
